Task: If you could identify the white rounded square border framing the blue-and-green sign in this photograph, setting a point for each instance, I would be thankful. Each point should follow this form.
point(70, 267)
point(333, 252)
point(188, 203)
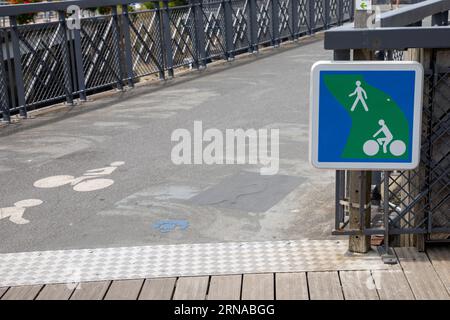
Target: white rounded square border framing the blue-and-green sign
point(364, 66)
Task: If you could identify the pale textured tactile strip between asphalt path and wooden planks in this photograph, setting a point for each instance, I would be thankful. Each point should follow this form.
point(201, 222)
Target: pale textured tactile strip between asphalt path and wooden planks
point(68, 266)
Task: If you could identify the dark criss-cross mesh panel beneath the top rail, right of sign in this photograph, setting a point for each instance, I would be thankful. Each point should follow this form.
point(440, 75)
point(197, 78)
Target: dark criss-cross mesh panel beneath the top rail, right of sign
point(419, 199)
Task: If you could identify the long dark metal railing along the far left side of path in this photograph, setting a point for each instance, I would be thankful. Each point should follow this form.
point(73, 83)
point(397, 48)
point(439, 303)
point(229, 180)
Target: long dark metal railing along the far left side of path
point(49, 62)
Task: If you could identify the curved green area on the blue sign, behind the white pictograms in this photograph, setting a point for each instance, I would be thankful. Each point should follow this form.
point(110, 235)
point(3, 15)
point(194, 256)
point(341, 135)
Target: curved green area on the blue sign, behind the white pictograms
point(379, 127)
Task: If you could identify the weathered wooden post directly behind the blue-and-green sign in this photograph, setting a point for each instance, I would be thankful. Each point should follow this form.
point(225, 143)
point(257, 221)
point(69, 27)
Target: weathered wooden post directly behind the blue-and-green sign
point(360, 181)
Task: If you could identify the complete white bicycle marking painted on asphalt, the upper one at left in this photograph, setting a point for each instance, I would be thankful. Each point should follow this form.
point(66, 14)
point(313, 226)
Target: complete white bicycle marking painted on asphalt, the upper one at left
point(89, 181)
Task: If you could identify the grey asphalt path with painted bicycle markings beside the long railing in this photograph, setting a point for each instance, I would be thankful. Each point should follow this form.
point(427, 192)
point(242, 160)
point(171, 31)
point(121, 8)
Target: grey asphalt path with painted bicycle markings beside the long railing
point(153, 201)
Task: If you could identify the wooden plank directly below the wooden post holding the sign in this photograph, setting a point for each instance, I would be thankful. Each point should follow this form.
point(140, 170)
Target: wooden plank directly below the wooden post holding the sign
point(358, 285)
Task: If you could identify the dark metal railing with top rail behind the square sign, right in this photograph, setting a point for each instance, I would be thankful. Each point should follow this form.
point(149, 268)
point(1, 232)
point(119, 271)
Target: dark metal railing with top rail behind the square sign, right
point(414, 202)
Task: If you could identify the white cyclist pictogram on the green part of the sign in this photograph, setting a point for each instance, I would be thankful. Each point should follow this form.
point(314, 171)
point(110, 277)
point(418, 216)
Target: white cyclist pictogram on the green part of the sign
point(372, 147)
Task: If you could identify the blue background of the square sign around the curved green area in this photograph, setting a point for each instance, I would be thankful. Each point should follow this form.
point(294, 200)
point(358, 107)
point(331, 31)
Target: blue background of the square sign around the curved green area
point(335, 122)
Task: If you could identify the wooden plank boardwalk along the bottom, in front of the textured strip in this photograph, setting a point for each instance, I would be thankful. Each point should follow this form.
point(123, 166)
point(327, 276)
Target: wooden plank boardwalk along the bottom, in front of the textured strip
point(418, 276)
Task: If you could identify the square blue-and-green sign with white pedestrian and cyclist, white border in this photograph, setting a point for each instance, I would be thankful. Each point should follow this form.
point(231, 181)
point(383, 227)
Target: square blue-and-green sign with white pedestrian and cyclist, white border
point(366, 115)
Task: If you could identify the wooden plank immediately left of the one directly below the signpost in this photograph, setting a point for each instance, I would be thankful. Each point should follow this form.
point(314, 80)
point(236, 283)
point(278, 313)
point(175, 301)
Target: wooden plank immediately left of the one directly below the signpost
point(324, 286)
